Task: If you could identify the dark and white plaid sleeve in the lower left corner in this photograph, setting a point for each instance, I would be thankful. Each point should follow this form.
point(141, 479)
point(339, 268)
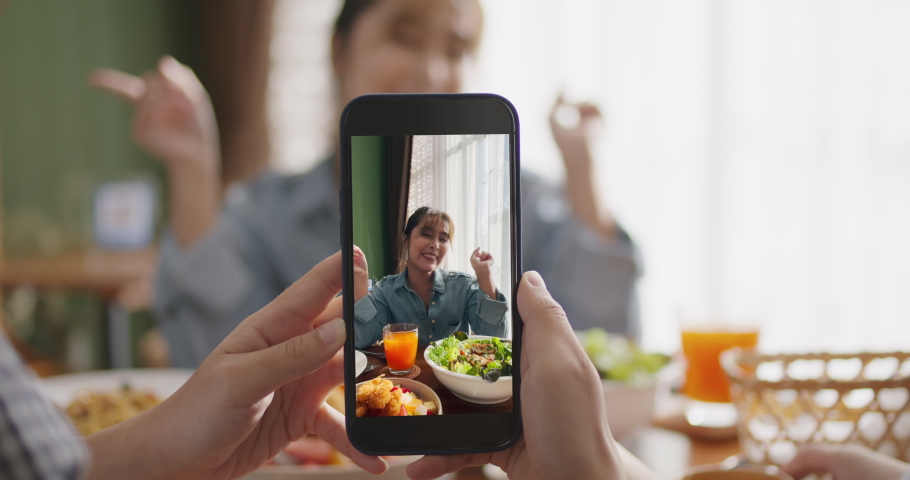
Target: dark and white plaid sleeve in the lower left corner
point(37, 441)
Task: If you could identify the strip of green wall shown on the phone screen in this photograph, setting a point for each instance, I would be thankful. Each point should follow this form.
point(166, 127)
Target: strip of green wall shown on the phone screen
point(370, 182)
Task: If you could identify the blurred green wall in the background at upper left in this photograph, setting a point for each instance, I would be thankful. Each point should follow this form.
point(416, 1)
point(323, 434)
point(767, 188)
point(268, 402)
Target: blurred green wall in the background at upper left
point(58, 137)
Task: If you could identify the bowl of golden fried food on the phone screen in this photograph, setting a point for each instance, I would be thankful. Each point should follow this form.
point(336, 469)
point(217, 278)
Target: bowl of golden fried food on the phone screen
point(396, 397)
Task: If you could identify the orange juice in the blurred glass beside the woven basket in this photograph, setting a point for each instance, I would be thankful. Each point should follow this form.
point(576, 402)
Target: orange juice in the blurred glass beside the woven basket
point(705, 379)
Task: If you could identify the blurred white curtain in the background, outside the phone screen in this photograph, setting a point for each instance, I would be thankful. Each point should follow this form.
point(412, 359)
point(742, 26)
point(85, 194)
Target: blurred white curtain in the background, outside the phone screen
point(757, 150)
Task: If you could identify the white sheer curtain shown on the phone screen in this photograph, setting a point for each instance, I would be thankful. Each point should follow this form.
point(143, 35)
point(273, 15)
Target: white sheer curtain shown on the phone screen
point(467, 177)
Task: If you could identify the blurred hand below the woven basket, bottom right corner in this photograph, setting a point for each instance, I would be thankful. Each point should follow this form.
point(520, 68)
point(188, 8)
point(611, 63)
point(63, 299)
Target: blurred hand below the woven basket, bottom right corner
point(845, 462)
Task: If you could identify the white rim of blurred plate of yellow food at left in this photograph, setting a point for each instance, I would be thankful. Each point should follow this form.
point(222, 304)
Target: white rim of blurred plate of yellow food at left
point(62, 389)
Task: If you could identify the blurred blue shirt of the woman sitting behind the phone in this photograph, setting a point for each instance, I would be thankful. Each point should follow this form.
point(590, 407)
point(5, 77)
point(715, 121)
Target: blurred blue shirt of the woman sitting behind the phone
point(275, 228)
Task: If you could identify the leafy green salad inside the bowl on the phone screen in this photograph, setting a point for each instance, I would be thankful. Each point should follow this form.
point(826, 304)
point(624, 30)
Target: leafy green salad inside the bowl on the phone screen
point(488, 358)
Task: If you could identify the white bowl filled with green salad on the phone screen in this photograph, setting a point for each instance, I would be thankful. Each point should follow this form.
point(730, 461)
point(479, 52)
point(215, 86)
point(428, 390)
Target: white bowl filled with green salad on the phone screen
point(475, 368)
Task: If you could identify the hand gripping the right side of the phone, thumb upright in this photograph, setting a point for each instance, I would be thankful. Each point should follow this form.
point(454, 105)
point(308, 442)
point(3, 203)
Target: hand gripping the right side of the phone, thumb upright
point(557, 442)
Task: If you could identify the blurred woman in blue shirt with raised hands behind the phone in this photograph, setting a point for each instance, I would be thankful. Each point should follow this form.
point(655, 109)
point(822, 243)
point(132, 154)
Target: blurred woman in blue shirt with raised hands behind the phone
point(220, 265)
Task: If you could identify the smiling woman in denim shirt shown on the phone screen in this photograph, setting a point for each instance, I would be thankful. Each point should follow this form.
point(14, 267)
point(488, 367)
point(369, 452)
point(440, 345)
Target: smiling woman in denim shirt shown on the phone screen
point(439, 301)
